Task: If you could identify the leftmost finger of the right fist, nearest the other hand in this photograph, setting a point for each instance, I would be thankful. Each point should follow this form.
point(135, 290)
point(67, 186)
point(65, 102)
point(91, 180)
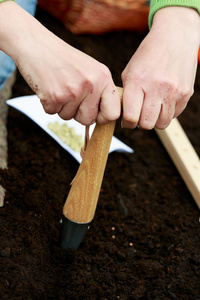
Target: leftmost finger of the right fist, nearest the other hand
point(132, 103)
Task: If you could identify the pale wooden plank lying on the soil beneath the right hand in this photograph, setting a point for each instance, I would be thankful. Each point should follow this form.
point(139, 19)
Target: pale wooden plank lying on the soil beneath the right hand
point(183, 155)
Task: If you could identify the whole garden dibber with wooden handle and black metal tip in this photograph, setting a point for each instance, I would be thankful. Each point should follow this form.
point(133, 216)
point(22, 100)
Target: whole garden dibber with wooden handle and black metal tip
point(80, 206)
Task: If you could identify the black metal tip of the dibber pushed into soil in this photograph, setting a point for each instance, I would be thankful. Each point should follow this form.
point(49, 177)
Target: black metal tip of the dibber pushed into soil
point(72, 233)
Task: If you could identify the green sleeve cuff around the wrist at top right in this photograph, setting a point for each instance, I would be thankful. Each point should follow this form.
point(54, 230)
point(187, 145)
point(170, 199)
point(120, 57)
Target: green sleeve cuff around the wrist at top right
point(155, 5)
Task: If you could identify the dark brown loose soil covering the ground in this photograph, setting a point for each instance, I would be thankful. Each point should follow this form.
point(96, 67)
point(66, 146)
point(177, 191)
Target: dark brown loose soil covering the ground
point(144, 240)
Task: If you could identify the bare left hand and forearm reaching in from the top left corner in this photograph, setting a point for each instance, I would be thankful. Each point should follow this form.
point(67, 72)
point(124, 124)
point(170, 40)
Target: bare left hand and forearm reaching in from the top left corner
point(67, 81)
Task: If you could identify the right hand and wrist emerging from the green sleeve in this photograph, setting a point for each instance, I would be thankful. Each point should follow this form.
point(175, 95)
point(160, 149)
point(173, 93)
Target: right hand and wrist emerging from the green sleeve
point(159, 79)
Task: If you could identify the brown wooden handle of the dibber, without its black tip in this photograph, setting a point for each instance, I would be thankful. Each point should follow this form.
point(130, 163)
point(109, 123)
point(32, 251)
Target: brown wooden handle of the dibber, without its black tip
point(82, 200)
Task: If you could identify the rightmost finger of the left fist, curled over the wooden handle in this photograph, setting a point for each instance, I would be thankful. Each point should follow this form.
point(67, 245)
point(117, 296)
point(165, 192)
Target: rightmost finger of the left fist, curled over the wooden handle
point(110, 106)
